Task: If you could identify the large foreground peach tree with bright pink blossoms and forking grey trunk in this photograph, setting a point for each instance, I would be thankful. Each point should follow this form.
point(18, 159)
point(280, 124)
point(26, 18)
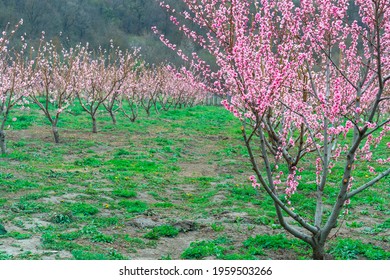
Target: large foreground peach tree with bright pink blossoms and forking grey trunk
point(309, 80)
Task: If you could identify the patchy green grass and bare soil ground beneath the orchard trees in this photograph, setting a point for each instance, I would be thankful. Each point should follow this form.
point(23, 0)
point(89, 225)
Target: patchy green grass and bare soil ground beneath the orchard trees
point(169, 186)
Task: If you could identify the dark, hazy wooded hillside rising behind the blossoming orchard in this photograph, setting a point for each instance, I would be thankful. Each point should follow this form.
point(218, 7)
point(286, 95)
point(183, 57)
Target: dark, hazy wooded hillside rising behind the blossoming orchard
point(127, 22)
